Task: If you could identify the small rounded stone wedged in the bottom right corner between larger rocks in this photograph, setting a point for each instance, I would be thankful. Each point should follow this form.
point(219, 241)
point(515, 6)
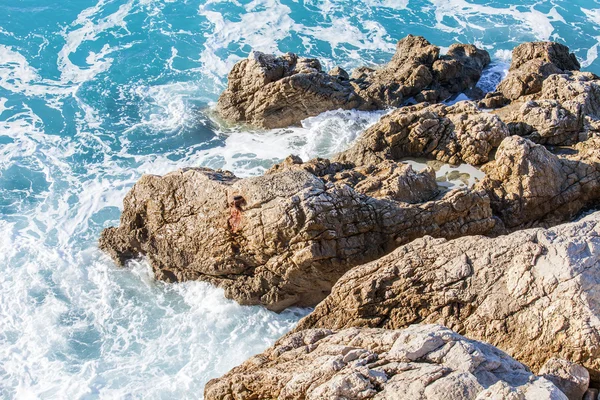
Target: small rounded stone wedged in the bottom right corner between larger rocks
point(572, 379)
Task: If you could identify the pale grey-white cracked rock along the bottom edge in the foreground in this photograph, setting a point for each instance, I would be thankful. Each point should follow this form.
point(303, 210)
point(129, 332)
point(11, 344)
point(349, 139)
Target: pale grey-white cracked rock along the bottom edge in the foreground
point(417, 363)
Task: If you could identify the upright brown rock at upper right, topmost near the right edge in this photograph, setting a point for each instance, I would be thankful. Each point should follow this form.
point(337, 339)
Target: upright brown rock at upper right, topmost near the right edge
point(532, 63)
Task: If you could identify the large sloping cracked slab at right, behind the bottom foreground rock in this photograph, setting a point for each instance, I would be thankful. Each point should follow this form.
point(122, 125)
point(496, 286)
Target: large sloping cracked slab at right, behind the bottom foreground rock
point(532, 293)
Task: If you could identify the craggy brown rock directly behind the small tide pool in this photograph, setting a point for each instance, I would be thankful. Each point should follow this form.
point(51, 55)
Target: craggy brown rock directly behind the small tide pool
point(454, 134)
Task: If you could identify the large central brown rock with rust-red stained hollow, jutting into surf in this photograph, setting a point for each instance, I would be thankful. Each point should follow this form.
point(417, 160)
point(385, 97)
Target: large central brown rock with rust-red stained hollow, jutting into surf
point(284, 238)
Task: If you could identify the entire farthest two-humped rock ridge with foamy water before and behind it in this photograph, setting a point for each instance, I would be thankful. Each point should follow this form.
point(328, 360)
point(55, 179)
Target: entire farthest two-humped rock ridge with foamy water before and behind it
point(271, 92)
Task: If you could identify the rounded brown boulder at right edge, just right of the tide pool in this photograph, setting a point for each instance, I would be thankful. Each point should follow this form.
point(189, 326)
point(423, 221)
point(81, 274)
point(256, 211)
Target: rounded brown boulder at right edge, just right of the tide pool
point(528, 185)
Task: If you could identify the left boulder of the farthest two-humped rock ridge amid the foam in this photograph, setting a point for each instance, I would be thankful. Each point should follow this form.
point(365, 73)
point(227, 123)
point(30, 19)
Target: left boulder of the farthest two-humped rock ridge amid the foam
point(273, 92)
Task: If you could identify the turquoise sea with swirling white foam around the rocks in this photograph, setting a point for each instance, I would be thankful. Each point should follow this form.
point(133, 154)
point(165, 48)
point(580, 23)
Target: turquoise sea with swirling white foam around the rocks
point(95, 93)
